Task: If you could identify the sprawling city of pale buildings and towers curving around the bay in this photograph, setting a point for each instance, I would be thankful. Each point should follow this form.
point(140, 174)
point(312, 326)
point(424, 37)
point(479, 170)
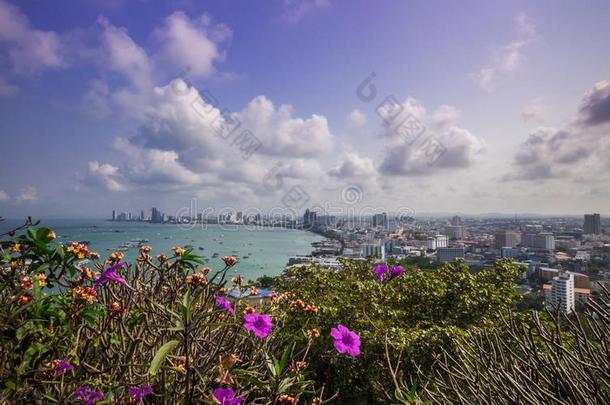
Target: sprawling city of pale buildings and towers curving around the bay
point(565, 260)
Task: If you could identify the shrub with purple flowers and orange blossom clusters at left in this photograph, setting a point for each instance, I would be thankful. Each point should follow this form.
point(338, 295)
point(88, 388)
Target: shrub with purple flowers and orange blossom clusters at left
point(161, 329)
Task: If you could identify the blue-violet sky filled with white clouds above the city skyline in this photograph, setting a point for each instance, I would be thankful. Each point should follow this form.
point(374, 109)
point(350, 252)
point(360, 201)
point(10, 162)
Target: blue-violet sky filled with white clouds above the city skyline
point(344, 105)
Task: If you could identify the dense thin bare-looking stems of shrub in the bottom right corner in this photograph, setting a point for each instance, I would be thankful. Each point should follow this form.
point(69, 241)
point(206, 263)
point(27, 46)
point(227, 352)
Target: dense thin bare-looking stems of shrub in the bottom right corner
point(535, 358)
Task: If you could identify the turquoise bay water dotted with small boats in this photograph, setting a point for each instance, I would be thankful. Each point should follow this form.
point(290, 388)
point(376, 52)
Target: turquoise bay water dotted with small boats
point(269, 248)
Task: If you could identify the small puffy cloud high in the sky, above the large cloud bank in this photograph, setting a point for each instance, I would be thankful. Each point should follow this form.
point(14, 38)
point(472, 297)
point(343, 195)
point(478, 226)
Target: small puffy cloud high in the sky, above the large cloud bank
point(191, 44)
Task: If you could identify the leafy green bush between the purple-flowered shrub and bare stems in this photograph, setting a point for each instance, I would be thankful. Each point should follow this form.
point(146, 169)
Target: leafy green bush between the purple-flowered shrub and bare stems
point(418, 314)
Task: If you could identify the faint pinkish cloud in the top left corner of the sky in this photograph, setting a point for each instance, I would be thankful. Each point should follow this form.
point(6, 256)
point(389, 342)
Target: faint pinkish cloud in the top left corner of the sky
point(28, 49)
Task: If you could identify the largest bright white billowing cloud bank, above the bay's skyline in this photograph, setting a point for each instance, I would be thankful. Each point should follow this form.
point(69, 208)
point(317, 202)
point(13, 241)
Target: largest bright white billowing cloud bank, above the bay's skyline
point(178, 144)
